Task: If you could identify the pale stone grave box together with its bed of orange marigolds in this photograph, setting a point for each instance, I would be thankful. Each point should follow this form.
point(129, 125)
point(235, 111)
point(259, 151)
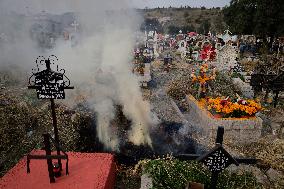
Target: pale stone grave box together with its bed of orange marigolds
point(237, 116)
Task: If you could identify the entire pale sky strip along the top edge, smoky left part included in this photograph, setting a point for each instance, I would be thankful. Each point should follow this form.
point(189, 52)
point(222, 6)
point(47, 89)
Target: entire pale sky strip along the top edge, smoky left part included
point(55, 6)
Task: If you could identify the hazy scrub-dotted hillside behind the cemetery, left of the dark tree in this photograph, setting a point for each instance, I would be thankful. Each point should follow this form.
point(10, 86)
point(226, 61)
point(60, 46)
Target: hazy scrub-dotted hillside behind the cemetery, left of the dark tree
point(171, 20)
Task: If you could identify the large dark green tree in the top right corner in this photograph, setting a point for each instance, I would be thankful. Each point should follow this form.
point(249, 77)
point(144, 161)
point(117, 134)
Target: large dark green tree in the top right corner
point(260, 17)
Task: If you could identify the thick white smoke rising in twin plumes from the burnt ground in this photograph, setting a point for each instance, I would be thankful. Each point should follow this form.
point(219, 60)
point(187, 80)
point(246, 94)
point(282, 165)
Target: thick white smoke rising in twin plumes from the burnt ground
point(99, 65)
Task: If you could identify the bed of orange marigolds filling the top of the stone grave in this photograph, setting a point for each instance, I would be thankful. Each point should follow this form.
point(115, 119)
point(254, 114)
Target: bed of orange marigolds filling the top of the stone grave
point(233, 107)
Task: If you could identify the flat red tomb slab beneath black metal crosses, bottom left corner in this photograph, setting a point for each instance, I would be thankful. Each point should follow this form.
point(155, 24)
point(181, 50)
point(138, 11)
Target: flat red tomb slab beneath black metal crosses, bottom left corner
point(86, 171)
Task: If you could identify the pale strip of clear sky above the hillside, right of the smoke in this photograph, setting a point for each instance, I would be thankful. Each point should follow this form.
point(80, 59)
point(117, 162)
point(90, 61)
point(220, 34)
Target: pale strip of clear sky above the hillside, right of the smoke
point(178, 3)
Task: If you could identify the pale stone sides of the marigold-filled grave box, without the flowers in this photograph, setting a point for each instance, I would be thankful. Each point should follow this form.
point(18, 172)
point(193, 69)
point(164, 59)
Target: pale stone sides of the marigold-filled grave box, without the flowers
point(238, 130)
